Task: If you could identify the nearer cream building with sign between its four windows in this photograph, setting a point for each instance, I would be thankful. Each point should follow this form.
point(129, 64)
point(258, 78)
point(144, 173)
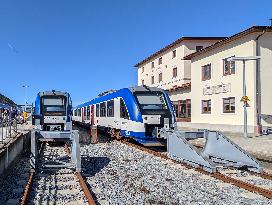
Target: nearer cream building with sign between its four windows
point(217, 84)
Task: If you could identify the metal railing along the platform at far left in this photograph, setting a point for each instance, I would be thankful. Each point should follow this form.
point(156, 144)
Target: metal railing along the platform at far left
point(8, 129)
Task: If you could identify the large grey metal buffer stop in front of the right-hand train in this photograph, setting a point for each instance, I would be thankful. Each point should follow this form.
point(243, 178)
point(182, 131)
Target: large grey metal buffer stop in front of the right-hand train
point(218, 151)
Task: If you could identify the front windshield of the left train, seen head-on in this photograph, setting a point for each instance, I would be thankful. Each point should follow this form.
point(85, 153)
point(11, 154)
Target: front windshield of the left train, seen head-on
point(54, 105)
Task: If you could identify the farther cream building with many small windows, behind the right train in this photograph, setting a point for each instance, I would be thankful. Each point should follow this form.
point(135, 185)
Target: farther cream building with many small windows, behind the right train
point(167, 69)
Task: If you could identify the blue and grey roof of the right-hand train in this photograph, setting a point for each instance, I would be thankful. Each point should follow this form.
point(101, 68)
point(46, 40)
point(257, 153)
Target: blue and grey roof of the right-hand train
point(119, 93)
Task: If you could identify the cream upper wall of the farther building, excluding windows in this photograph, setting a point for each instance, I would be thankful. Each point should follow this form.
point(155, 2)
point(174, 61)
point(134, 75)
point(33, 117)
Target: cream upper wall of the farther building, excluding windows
point(168, 63)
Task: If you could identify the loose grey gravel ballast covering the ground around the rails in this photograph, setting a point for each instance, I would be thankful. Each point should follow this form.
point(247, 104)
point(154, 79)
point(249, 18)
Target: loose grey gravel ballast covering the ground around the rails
point(120, 174)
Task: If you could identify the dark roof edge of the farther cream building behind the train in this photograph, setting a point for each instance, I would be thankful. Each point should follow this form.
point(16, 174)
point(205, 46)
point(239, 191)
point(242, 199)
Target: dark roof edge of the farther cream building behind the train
point(175, 43)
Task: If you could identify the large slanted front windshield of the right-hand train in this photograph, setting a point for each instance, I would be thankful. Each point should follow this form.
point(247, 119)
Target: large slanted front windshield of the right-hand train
point(150, 102)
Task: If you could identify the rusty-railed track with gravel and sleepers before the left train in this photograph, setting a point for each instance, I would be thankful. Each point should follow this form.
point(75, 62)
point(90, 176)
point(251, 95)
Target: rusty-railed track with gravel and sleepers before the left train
point(56, 185)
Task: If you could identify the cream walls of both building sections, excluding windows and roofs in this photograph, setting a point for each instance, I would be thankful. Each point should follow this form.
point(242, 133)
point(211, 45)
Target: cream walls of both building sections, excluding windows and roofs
point(191, 71)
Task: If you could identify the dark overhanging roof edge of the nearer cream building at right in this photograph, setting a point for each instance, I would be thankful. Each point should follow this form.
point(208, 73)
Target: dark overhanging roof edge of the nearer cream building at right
point(229, 39)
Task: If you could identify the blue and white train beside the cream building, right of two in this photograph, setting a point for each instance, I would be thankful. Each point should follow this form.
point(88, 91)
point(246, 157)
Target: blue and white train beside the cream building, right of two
point(136, 112)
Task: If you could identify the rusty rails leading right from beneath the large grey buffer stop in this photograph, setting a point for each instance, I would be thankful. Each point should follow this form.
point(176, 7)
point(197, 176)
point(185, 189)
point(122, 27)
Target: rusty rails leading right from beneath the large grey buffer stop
point(217, 175)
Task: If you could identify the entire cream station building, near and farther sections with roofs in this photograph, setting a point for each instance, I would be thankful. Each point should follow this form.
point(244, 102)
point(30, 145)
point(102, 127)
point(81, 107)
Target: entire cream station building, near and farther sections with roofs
point(206, 89)
